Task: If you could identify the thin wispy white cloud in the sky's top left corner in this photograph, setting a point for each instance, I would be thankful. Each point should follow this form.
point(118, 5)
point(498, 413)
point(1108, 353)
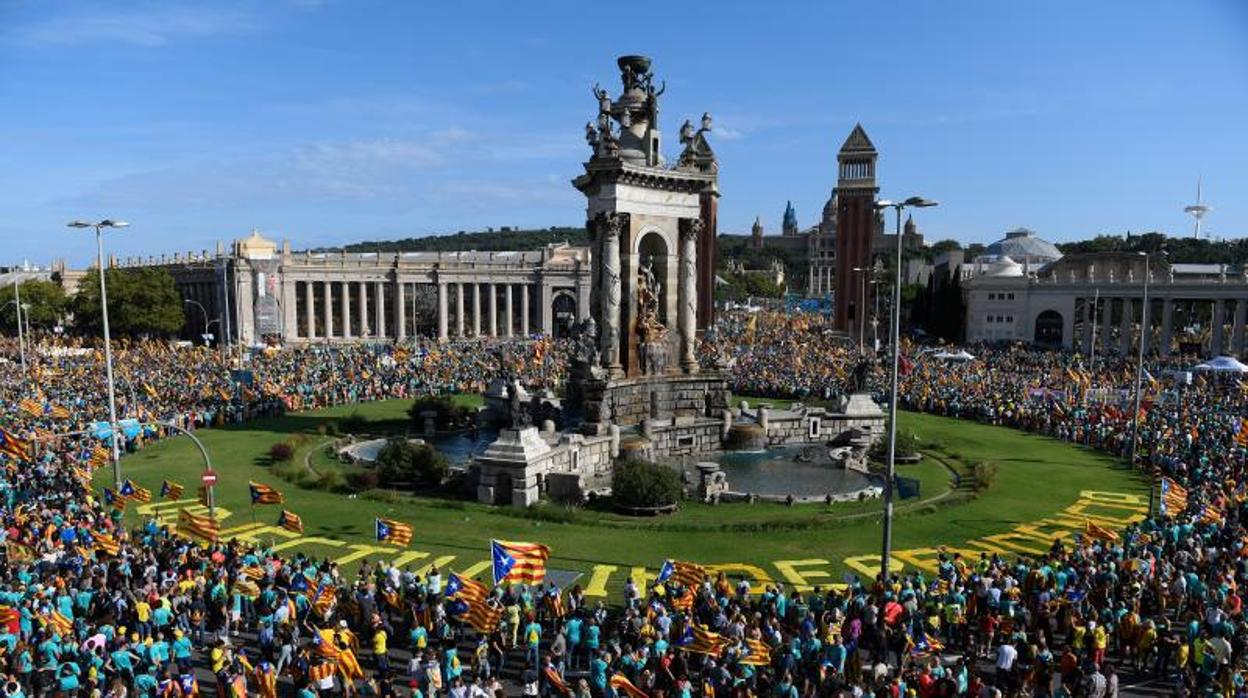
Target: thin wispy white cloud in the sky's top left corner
point(155, 27)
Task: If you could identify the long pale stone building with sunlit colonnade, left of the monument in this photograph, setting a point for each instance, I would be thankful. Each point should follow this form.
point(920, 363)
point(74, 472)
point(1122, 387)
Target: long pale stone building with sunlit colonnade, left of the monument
point(264, 294)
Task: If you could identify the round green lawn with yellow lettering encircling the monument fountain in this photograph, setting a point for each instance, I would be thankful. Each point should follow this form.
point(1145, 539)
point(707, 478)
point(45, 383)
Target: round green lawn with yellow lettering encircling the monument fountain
point(1038, 478)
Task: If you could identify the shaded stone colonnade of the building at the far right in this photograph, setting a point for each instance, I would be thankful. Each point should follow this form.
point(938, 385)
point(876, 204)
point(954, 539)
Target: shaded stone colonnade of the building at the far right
point(1098, 319)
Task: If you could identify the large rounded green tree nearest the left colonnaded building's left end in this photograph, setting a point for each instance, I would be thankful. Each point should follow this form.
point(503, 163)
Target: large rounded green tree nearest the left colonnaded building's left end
point(142, 302)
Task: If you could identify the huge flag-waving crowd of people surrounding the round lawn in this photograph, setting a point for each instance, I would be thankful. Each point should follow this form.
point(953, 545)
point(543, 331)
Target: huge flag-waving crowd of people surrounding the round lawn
point(93, 607)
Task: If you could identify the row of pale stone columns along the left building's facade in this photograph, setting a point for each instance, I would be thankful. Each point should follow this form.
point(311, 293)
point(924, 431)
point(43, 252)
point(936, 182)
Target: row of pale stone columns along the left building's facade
point(462, 309)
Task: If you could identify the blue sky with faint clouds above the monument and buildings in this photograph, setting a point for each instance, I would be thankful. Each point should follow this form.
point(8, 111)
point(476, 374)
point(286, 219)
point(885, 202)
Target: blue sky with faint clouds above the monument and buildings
point(336, 122)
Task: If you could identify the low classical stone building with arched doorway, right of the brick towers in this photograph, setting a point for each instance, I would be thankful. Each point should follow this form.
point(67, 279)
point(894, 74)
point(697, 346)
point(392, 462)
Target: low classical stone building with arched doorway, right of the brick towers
point(1095, 303)
